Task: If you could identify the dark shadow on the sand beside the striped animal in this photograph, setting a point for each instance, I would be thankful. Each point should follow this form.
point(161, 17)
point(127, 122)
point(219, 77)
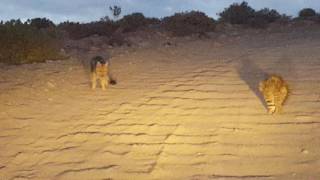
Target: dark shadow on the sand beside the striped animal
point(251, 74)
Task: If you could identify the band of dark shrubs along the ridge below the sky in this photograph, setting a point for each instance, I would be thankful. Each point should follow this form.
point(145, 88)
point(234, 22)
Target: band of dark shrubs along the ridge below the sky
point(39, 39)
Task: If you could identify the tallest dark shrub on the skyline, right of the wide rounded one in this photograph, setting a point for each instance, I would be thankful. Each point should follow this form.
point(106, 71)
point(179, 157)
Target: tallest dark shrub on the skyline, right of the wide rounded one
point(237, 13)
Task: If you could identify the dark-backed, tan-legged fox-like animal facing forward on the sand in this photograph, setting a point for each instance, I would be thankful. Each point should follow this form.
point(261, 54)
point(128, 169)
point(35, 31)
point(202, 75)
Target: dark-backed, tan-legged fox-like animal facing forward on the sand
point(100, 70)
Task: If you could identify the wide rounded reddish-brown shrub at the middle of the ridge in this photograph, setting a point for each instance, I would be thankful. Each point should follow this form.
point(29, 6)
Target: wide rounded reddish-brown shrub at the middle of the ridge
point(187, 23)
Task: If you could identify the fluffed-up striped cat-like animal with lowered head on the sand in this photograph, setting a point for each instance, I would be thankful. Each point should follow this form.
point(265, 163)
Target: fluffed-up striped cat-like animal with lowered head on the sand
point(275, 92)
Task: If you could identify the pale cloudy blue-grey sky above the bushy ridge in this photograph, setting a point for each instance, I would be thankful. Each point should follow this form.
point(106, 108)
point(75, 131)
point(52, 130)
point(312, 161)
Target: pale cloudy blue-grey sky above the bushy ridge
point(90, 10)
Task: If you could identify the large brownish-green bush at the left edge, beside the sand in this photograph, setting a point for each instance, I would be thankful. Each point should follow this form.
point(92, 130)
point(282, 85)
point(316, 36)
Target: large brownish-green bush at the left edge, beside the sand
point(23, 43)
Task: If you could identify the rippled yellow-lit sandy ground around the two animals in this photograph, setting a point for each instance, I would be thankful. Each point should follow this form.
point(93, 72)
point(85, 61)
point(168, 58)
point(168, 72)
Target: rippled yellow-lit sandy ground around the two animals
point(190, 111)
